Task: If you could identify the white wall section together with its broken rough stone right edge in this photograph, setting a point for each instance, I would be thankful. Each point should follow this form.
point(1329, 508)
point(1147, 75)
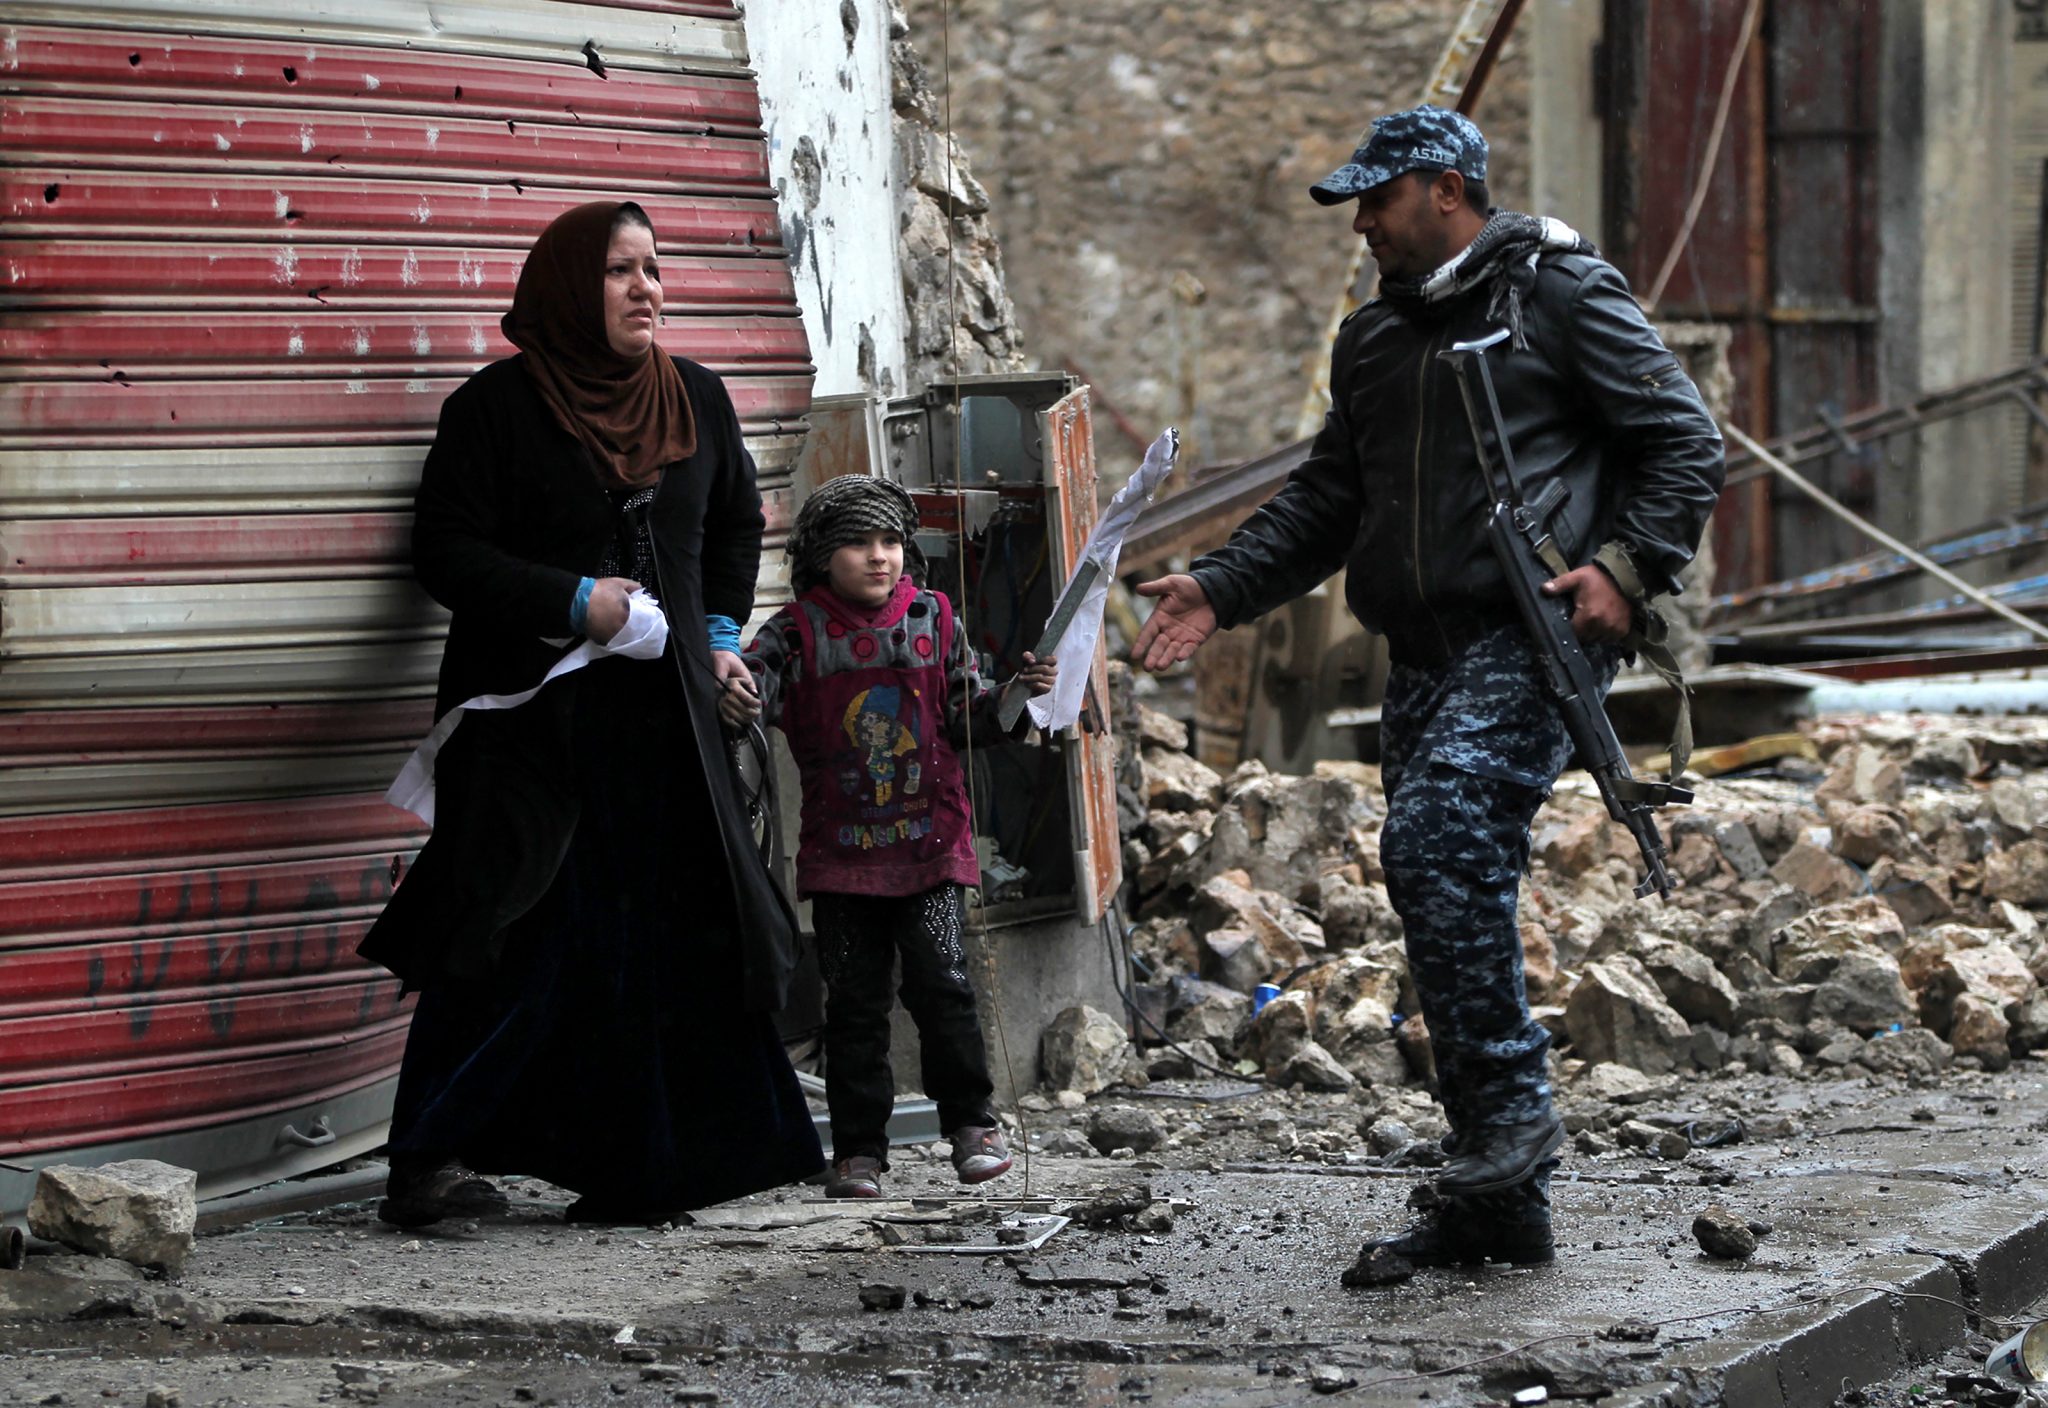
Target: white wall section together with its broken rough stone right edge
point(873, 210)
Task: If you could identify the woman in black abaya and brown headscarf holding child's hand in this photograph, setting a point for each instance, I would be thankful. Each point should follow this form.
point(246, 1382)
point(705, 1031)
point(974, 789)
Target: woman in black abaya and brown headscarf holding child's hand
point(597, 942)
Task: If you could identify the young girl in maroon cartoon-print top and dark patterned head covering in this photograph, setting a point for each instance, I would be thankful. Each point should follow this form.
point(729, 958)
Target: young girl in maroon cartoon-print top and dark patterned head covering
point(873, 687)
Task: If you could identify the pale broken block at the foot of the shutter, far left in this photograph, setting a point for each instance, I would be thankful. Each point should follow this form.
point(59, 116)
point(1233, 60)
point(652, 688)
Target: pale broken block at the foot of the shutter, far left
point(136, 1211)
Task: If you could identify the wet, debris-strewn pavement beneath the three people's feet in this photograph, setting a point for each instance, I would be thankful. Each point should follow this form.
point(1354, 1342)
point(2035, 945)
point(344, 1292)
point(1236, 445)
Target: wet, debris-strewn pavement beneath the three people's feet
point(1932, 1196)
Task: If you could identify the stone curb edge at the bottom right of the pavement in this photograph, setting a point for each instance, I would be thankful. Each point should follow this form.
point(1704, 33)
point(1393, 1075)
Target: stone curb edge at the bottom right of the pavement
point(1809, 1356)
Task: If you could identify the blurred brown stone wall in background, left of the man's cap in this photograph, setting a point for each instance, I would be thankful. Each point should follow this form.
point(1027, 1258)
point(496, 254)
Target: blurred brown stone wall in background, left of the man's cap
point(1150, 177)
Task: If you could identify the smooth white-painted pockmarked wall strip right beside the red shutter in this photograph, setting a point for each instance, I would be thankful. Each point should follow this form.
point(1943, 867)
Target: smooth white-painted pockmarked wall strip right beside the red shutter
point(826, 99)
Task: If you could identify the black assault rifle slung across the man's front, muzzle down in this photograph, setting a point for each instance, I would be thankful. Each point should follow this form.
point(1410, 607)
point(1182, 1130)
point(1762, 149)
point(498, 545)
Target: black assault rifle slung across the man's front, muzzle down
point(1525, 539)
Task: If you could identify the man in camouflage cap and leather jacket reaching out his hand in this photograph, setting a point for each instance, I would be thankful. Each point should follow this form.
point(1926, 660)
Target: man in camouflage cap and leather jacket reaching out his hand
point(1601, 429)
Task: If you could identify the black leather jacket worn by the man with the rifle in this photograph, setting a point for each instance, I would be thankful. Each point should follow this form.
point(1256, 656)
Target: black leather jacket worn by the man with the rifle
point(1392, 488)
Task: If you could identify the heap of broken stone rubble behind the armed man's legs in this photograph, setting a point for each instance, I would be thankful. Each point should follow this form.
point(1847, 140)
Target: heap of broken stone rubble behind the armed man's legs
point(1879, 912)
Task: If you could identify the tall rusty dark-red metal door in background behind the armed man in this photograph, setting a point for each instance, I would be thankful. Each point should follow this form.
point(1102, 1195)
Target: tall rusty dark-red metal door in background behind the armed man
point(1787, 245)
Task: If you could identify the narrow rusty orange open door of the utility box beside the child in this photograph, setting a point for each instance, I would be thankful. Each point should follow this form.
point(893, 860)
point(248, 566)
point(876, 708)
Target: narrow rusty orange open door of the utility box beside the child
point(1070, 466)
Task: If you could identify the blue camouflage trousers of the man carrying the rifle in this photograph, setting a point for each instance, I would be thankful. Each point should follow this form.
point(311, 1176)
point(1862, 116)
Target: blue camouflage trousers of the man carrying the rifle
point(1469, 752)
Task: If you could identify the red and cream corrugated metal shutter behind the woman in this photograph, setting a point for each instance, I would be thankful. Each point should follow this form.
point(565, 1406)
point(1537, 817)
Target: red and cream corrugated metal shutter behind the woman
point(247, 249)
